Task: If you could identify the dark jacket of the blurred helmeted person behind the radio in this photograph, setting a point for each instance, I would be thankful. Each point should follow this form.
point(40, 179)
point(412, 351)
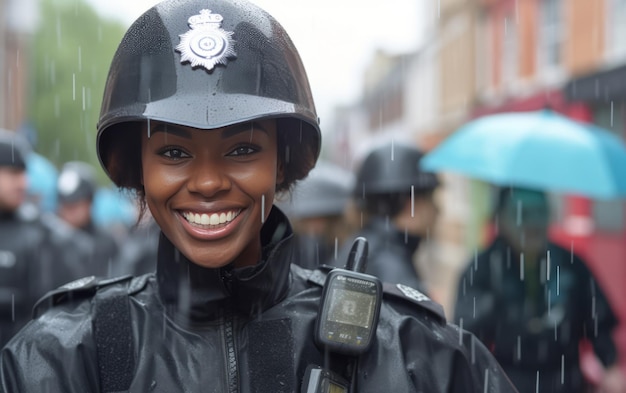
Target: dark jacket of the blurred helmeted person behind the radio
point(391, 254)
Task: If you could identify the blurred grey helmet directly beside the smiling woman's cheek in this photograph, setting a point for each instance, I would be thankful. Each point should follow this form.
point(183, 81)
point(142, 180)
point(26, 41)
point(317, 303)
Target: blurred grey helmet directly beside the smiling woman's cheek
point(325, 192)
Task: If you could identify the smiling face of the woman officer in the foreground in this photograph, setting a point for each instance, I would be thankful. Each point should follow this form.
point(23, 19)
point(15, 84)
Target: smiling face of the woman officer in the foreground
point(211, 191)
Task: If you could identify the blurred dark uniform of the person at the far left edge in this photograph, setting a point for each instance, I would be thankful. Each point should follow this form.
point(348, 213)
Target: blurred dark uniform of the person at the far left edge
point(36, 255)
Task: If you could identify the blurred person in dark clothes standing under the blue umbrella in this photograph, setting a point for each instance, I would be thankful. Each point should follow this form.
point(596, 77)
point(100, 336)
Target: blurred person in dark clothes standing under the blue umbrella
point(532, 302)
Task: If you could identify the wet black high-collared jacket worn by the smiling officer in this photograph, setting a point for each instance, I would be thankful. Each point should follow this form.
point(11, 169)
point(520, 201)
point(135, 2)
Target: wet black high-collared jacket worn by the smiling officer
point(237, 330)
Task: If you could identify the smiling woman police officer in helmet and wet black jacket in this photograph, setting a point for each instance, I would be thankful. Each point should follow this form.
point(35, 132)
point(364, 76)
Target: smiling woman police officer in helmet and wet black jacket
point(207, 113)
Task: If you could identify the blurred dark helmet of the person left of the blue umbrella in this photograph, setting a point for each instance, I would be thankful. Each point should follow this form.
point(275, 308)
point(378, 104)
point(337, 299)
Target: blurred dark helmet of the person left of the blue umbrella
point(393, 168)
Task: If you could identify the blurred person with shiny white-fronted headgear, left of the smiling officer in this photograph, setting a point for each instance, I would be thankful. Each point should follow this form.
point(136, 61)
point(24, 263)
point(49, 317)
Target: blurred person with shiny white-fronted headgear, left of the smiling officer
point(76, 187)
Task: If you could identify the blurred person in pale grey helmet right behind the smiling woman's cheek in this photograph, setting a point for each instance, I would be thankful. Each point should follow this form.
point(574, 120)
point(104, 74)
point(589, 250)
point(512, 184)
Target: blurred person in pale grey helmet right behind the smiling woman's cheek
point(317, 209)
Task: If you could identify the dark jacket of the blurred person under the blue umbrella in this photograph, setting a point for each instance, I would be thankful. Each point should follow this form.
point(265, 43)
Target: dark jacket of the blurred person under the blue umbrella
point(536, 334)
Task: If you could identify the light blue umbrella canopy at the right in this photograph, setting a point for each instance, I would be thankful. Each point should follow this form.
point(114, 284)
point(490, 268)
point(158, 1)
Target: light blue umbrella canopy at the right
point(539, 149)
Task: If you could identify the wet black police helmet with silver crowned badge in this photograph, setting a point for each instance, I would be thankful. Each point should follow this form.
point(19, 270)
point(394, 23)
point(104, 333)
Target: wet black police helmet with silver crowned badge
point(206, 64)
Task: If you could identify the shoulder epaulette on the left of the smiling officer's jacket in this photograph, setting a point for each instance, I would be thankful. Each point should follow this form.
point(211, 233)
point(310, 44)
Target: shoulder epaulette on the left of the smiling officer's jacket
point(78, 289)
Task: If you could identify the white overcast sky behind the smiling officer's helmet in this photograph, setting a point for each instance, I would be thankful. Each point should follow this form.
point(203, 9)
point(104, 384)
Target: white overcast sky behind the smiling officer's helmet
point(335, 38)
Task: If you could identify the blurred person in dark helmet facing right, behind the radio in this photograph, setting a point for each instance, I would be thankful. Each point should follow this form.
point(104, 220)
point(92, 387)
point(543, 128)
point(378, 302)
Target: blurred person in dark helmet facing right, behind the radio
point(397, 202)
